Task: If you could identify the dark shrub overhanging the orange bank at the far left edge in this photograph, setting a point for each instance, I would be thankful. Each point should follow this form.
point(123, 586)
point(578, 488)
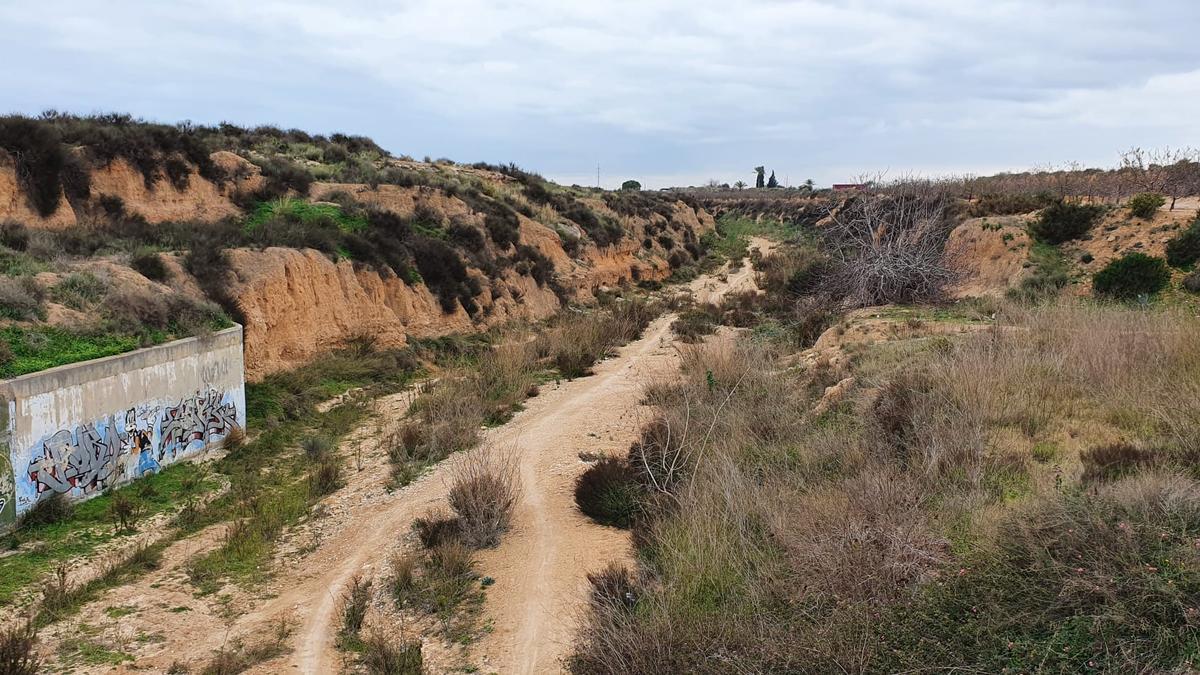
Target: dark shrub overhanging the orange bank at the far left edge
point(40, 159)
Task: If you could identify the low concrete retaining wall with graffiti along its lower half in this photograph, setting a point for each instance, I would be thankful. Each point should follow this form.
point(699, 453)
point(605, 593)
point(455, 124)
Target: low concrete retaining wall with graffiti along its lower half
point(82, 428)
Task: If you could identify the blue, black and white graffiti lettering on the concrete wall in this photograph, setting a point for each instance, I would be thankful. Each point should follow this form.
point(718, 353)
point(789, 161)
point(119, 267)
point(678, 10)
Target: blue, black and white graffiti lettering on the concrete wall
point(121, 447)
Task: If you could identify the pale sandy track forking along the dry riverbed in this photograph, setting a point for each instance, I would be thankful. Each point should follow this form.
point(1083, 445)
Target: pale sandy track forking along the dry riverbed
point(542, 565)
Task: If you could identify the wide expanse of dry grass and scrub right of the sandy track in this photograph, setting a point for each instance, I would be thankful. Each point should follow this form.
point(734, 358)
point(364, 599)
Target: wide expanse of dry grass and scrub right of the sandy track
point(923, 523)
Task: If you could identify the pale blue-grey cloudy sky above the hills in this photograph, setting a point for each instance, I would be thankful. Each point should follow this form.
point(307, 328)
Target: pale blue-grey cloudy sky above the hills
point(664, 92)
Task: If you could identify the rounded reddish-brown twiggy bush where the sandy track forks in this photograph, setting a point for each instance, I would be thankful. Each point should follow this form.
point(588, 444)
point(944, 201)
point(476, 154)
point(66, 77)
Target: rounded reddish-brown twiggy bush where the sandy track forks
point(483, 493)
